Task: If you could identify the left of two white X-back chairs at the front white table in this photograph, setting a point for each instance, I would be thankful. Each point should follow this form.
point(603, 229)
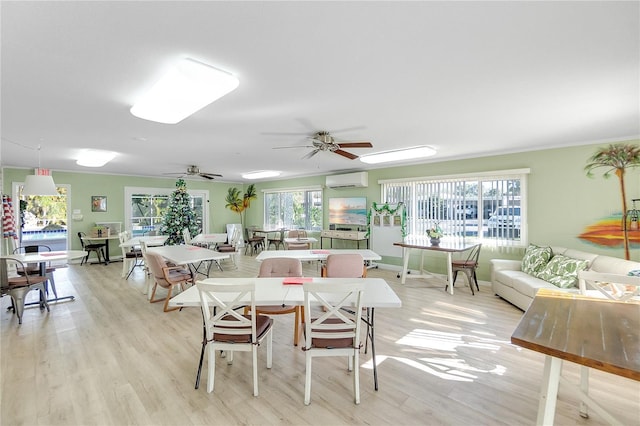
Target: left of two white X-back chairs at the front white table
point(229, 331)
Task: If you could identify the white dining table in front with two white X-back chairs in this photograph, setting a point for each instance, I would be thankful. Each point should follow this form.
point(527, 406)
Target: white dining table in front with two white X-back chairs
point(273, 291)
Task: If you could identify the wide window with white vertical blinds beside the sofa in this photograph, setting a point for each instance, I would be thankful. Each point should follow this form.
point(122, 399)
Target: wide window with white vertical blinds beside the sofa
point(487, 206)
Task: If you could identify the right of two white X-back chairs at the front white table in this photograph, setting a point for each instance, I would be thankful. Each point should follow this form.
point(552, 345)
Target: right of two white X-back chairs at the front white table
point(336, 332)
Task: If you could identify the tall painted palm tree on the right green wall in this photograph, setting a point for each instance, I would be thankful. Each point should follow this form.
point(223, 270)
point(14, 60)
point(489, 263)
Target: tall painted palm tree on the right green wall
point(616, 159)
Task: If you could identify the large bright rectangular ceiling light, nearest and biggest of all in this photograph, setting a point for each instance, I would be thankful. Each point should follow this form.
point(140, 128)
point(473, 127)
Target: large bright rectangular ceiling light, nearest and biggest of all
point(188, 87)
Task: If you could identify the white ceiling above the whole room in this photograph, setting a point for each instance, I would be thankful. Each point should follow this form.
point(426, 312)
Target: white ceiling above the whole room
point(467, 78)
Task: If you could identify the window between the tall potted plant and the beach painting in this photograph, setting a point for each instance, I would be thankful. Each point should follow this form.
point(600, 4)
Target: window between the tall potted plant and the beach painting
point(293, 209)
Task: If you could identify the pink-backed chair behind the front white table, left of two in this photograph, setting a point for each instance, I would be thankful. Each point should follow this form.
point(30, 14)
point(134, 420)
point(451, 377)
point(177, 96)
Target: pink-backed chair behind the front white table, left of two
point(282, 267)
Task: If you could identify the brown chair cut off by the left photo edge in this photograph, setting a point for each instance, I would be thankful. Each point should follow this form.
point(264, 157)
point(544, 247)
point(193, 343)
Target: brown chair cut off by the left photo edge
point(17, 286)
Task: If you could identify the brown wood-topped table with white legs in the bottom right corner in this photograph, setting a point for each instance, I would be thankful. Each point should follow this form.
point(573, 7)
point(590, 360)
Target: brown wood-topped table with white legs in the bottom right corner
point(597, 333)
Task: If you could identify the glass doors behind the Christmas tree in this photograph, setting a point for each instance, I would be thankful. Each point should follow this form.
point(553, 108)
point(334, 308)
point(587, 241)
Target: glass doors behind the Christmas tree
point(145, 208)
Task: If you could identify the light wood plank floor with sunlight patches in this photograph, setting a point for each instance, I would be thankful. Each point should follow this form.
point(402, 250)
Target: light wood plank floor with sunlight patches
point(112, 358)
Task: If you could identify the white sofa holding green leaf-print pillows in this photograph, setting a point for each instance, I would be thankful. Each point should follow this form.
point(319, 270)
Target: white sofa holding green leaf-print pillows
point(517, 287)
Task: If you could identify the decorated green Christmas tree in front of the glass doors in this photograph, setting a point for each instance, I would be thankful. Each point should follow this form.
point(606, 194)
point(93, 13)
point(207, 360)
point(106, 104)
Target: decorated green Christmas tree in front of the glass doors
point(179, 215)
